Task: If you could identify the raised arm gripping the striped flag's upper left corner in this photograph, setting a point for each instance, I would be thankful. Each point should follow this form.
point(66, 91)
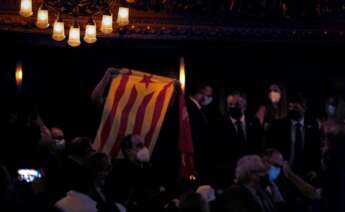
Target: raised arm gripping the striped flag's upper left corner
point(97, 95)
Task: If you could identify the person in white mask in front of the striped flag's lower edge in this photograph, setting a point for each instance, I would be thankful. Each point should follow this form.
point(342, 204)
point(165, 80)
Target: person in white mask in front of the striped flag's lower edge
point(133, 177)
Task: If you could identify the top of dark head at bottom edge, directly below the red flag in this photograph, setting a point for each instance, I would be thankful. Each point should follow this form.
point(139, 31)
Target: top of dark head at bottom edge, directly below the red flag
point(193, 202)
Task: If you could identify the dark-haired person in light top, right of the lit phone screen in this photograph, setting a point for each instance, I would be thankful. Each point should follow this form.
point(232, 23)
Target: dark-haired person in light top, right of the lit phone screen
point(78, 198)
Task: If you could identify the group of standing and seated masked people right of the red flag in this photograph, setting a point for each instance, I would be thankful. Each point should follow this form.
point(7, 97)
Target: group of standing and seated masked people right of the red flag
point(279, 157)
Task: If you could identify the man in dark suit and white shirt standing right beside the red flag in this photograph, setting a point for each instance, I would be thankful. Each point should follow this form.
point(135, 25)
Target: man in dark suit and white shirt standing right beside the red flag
point(201, 96)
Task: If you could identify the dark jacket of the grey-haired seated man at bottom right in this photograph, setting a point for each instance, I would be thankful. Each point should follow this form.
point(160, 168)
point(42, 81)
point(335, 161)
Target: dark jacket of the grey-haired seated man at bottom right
point(239, 198)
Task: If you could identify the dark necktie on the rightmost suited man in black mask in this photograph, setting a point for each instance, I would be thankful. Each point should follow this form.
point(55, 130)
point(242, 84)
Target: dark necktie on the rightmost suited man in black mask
point(298, 148)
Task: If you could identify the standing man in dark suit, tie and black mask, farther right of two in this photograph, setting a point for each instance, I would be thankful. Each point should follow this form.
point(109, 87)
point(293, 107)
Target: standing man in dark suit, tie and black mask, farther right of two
point(298, 138)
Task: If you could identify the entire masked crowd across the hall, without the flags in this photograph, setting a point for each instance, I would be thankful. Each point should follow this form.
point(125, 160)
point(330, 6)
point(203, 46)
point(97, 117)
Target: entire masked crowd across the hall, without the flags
point(278, 159)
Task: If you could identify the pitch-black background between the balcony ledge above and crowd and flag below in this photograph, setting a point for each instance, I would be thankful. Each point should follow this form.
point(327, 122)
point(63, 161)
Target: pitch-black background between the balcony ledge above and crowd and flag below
point(59, 79)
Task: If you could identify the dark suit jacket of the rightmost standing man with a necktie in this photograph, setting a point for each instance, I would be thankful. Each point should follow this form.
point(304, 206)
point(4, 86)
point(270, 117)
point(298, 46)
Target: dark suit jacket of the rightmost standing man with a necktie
point(280, 138)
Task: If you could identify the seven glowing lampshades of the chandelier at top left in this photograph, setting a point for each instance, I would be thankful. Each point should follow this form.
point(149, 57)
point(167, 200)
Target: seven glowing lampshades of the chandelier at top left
point(74, 31)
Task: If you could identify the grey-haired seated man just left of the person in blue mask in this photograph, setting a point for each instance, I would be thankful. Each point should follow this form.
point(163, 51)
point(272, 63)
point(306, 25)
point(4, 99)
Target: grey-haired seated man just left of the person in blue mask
point(248, 194)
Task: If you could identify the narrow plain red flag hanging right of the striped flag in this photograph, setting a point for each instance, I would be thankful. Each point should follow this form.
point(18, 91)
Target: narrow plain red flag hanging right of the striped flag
point(187, 168)
